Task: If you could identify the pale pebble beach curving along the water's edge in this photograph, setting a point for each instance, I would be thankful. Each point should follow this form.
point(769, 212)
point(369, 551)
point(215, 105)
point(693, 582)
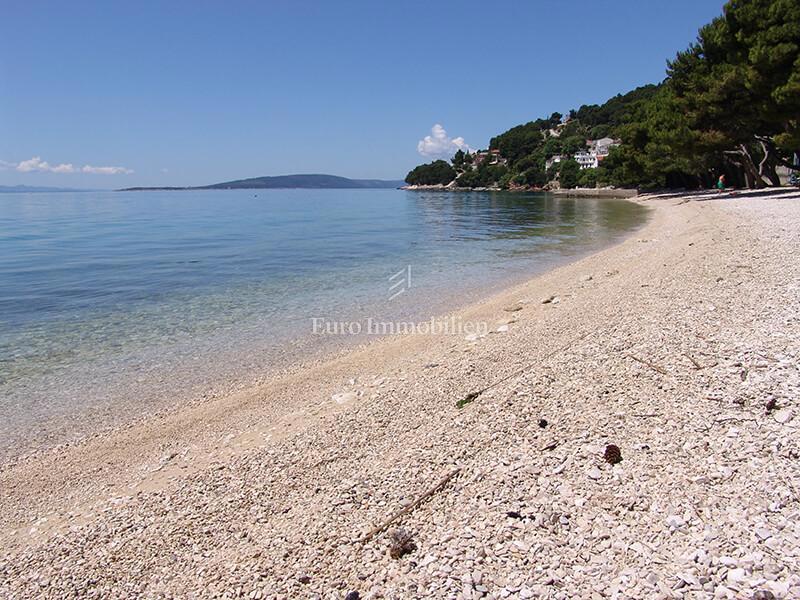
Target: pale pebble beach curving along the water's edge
point(628, 429)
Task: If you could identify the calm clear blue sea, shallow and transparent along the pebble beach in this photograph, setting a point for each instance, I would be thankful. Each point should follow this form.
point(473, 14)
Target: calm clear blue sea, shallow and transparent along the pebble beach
point(112, 301)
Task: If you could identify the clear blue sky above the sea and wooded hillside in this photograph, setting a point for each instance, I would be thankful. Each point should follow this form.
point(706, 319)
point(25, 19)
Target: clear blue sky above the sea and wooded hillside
point(196, 92)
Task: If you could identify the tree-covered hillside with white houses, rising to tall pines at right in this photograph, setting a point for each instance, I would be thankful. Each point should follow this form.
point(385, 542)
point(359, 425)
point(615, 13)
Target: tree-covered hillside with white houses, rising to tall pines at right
point(729, 105)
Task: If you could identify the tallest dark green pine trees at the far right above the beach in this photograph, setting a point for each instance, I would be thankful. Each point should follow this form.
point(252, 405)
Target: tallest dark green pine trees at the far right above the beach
point(738, 86)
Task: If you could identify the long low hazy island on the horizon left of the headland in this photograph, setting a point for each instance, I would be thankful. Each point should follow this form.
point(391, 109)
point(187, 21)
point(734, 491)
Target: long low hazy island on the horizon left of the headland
point(312, 181)
